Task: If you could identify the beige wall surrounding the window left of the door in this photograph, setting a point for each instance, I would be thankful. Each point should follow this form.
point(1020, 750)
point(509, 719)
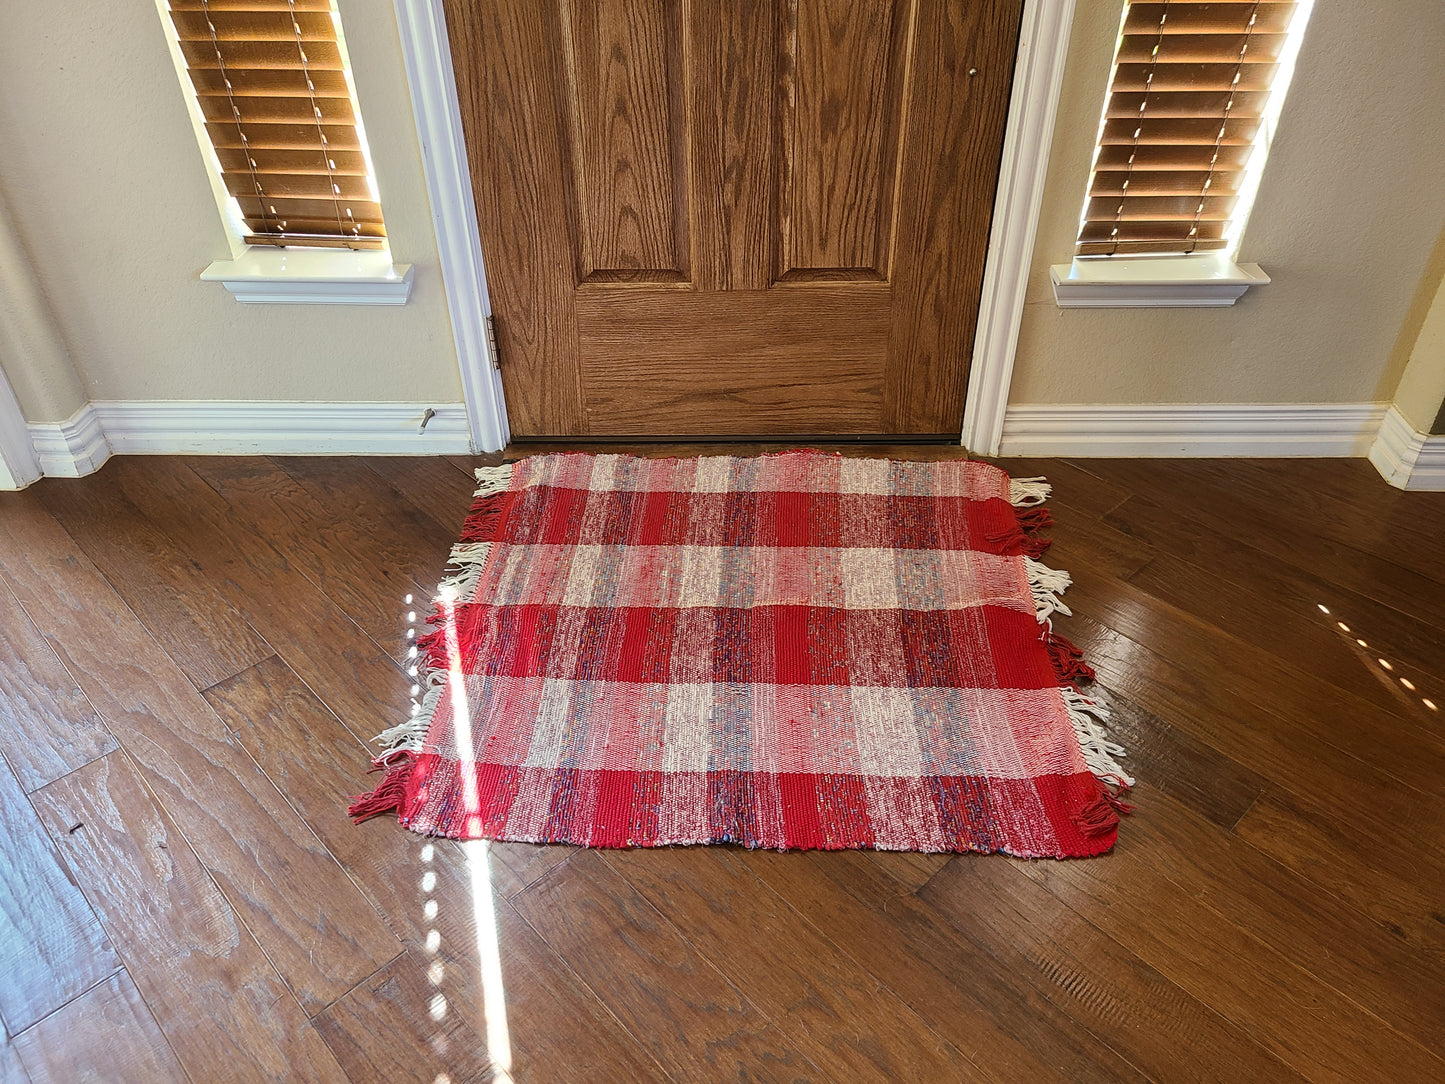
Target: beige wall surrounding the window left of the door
point(102, 174)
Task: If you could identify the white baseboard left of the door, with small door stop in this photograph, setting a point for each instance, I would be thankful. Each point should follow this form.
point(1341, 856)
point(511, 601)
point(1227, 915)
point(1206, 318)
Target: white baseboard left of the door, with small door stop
point(246, 429)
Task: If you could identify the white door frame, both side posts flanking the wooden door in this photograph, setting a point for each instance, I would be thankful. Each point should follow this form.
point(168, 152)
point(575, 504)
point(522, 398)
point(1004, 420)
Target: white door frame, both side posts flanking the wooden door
point(1044, 37)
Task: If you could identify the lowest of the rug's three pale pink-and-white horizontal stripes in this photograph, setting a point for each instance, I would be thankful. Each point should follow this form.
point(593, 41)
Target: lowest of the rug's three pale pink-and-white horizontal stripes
point(810, 729)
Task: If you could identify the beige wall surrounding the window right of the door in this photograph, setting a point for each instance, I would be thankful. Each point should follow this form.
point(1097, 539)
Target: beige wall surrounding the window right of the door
point(1346, 219)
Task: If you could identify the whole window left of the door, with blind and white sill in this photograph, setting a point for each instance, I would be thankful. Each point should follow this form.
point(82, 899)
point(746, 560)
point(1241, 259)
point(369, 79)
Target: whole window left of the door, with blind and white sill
point(277, 115)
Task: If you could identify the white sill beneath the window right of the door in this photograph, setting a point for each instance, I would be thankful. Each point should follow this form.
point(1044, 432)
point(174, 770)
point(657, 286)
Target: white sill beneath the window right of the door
point(1160, 283)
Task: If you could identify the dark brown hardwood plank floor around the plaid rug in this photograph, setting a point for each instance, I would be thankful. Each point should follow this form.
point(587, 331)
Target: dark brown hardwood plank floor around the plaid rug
point(194, 653)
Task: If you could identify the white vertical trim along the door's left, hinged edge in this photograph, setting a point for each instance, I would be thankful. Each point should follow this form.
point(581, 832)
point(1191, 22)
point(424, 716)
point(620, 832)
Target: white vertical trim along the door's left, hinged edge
point(454, 215)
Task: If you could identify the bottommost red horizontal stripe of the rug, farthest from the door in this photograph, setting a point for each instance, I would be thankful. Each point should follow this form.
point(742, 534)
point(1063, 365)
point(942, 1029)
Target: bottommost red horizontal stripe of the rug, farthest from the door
point(602, 809)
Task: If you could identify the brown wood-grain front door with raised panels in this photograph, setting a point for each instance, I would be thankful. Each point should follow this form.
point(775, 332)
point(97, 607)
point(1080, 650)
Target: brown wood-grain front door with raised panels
point(735, 218)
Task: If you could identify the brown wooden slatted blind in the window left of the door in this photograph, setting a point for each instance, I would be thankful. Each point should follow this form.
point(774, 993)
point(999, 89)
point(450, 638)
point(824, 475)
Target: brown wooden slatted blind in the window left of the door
point(272, 86)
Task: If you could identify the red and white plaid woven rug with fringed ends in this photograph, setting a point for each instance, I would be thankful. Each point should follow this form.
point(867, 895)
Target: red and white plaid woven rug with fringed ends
point(795, 651)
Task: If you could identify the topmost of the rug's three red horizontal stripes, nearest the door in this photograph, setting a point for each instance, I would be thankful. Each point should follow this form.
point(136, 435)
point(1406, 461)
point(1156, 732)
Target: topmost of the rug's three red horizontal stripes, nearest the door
point(576, 517)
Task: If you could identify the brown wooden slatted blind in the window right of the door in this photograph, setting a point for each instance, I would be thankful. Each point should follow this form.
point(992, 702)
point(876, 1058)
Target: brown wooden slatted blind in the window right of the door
point(1190, 92)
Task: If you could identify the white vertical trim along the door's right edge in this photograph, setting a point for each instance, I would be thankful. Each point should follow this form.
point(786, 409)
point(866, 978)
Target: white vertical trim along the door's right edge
point(1044, 43)
